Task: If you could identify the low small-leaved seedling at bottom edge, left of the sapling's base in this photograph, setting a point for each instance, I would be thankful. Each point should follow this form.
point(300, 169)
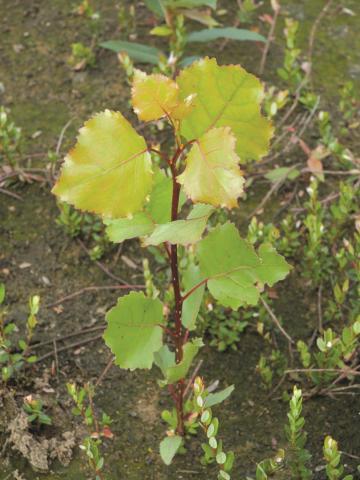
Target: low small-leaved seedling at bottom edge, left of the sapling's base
point(98, 429)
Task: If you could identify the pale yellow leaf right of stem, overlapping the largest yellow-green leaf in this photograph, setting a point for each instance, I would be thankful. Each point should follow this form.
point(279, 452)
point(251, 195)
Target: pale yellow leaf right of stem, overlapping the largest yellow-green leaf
point(212, 174)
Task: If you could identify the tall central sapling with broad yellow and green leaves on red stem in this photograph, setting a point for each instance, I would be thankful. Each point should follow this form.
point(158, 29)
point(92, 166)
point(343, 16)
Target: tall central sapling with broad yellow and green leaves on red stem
point(215, 123)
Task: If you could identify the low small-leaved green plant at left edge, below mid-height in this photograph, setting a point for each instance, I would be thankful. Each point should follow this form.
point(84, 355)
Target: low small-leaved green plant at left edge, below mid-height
point(12, 357)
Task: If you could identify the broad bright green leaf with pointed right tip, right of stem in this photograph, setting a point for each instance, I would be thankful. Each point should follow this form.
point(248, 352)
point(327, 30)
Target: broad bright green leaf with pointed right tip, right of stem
point(233, 268)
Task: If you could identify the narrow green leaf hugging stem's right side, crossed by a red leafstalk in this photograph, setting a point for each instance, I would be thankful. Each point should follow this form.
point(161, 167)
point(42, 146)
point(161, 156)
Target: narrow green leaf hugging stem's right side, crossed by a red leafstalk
point(191, 306)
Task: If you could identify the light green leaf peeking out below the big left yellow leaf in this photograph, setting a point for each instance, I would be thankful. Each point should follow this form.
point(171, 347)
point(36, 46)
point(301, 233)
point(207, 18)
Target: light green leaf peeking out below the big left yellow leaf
point(125, 228)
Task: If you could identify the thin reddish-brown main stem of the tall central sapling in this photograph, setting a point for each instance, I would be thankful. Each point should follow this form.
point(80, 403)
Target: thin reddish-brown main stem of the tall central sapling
point(178, 337)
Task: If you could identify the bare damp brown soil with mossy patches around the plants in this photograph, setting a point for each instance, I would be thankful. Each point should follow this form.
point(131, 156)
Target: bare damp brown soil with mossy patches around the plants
point(37, 257)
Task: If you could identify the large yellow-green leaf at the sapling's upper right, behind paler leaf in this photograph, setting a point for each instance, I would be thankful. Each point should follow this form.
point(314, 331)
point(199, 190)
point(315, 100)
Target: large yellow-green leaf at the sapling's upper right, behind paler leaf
point(226, 96)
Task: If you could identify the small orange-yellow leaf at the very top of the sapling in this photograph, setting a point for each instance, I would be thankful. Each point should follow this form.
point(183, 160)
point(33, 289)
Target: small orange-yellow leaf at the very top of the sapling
point(153, 96)
